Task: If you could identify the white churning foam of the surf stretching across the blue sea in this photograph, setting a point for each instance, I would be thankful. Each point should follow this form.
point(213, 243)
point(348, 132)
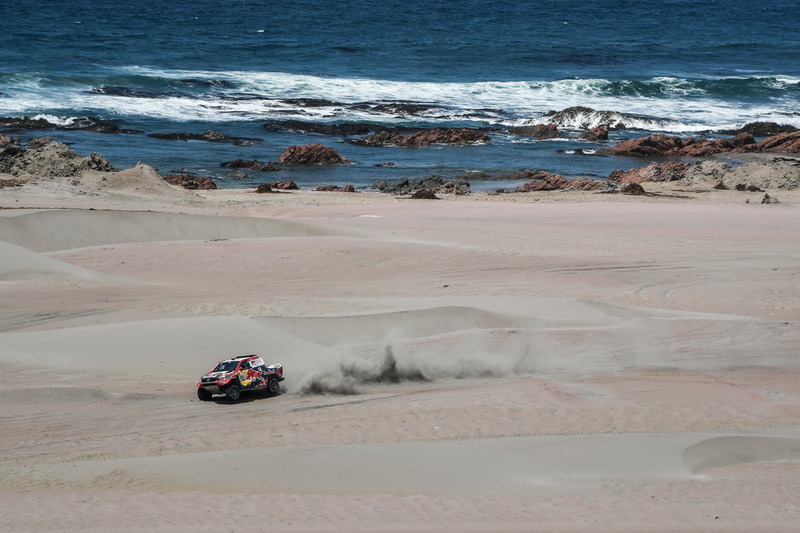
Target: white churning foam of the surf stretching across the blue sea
point(661, 104)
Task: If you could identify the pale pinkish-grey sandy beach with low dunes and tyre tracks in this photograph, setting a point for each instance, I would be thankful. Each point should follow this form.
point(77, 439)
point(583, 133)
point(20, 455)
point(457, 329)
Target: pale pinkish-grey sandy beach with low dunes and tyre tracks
point(563, 361)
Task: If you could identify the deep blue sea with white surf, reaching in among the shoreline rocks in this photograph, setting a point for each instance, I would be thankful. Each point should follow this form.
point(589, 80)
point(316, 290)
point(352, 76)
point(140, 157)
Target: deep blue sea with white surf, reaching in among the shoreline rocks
point(675, 66)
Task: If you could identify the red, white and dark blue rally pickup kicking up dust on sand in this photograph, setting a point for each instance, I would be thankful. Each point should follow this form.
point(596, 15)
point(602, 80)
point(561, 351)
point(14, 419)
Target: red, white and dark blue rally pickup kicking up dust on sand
point(243, 373)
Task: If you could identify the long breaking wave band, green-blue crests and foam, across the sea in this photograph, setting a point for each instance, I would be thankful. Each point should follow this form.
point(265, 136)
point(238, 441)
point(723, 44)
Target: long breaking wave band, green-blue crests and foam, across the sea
point(659, 103)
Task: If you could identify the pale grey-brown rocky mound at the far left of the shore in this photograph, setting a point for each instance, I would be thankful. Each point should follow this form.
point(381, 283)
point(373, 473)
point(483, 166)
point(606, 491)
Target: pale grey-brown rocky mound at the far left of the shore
point(49, 160)
